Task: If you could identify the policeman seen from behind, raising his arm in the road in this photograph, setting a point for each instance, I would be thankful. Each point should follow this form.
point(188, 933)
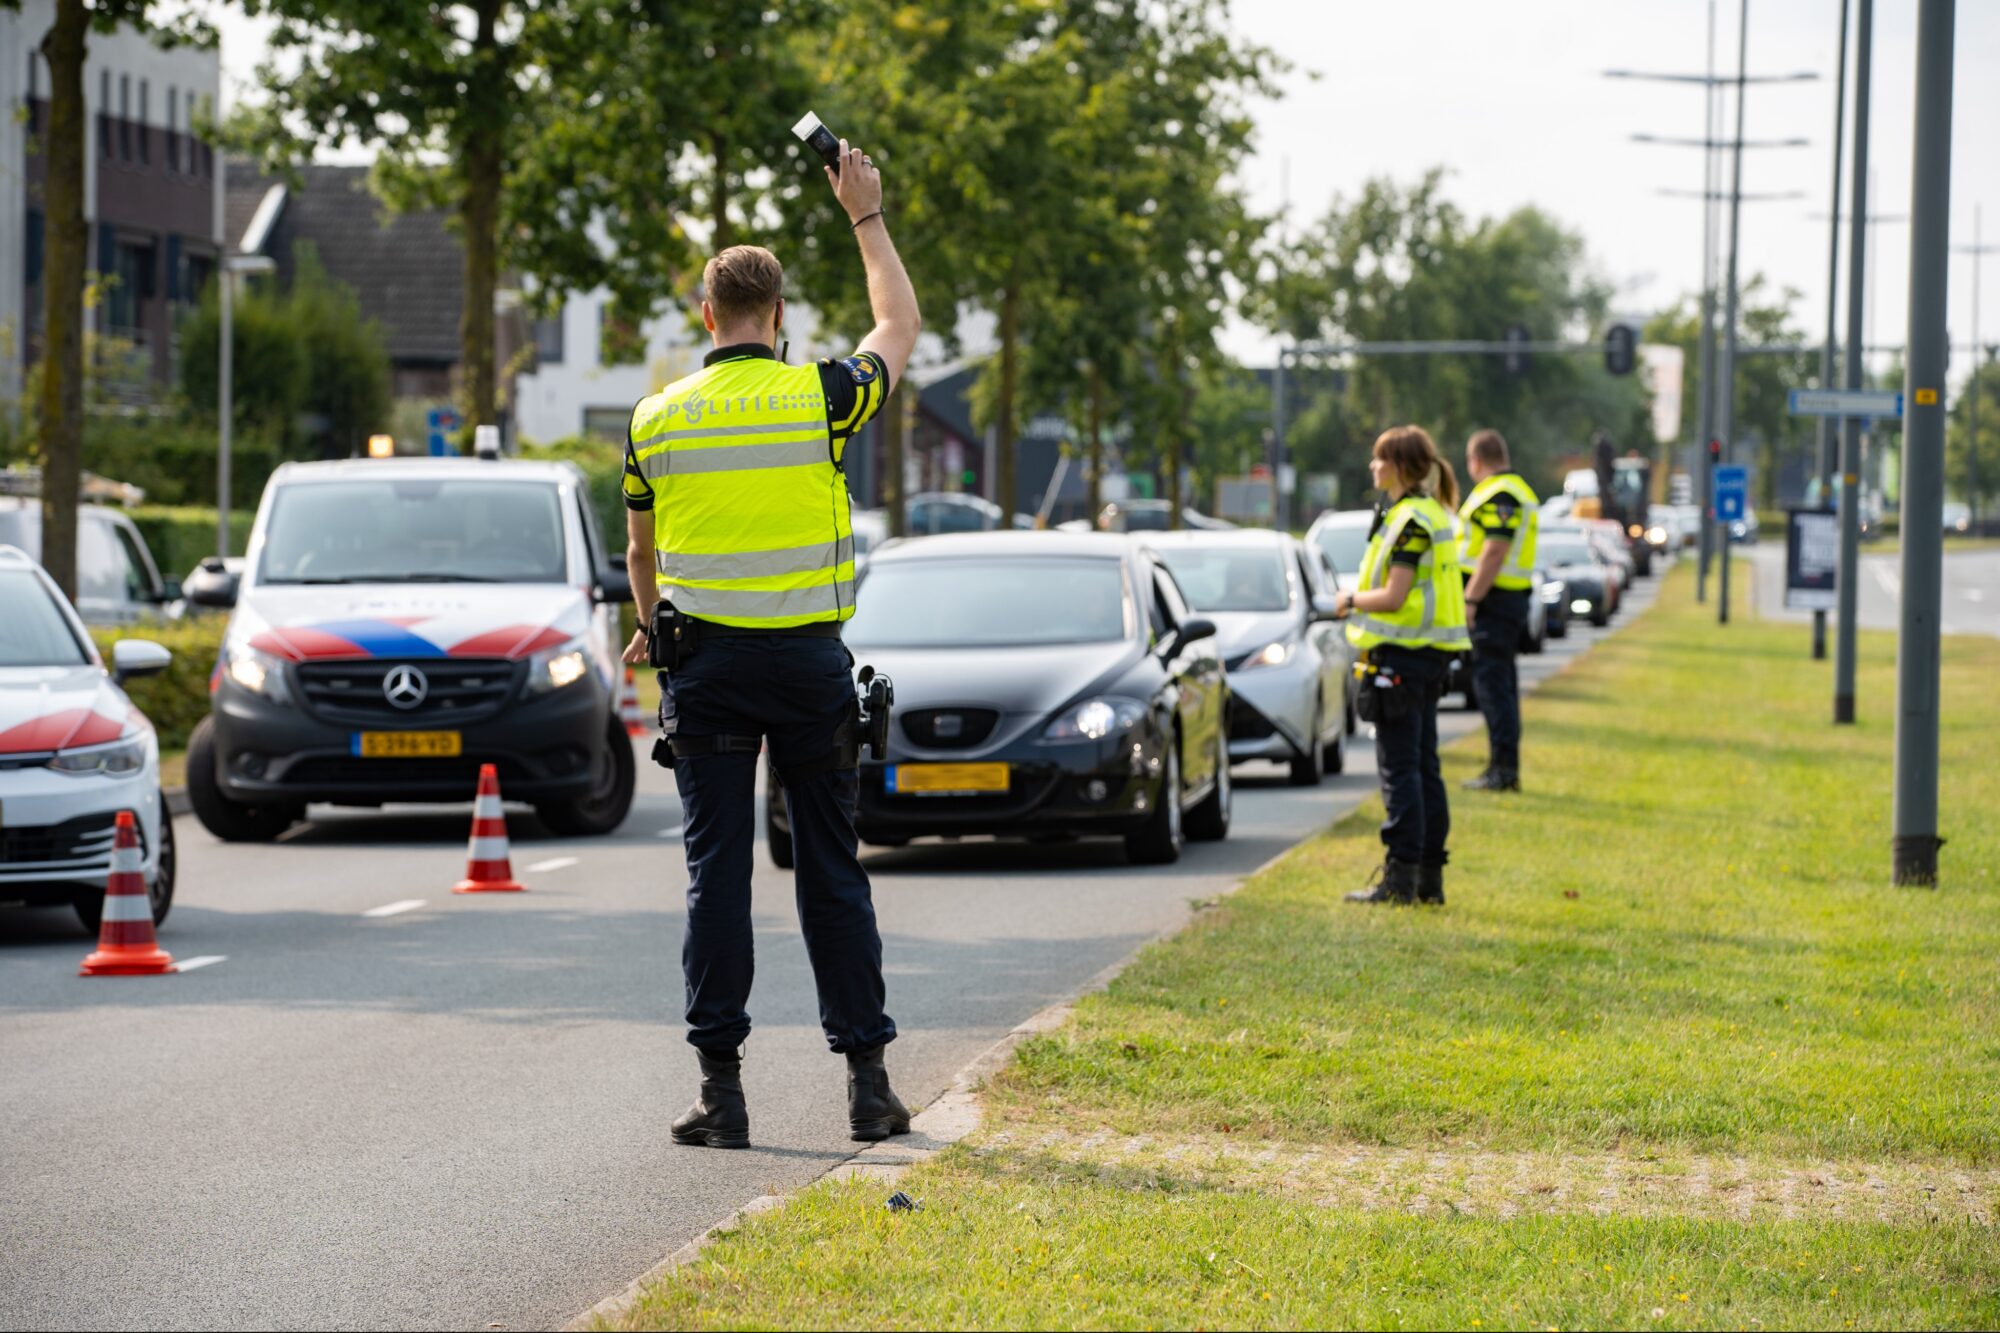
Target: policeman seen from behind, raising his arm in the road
point(743, 567)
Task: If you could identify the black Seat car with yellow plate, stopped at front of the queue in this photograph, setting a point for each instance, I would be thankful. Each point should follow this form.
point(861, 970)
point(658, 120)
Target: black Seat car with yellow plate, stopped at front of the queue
point(1047, 686)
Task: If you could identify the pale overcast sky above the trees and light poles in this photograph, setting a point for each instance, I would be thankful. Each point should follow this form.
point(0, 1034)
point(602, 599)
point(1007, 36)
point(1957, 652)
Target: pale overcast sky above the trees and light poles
point(1513, 103)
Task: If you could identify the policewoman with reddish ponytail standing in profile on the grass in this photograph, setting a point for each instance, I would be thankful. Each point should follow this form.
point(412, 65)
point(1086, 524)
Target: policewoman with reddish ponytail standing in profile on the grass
point(1409, 619)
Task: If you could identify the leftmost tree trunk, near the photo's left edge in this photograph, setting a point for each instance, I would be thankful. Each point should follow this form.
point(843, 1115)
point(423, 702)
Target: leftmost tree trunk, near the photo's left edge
point(61, 407)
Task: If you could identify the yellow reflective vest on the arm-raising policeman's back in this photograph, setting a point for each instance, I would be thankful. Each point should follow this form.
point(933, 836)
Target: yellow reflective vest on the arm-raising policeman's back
point(749, 507)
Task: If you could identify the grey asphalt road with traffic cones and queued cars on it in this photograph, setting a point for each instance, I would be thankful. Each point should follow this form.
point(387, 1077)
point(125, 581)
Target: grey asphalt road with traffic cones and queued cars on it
point(453, 1112)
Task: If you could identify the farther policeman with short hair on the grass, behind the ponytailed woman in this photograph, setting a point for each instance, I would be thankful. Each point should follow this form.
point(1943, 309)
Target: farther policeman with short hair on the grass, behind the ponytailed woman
point(1501, 519)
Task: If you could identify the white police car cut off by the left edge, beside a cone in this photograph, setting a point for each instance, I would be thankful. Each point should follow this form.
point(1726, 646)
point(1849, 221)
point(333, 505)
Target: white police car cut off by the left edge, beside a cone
point(73, 754)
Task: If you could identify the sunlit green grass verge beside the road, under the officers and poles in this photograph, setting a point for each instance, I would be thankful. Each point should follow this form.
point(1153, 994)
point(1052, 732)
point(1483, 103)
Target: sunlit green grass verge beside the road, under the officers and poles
point(1675, 1054)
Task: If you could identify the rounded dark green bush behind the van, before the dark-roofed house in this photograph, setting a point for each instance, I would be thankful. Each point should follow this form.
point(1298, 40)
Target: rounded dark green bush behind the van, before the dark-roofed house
point(309, 367)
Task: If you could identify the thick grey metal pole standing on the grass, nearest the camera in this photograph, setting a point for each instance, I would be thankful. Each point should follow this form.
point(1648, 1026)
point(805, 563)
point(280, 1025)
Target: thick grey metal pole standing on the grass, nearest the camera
point(1923, 455)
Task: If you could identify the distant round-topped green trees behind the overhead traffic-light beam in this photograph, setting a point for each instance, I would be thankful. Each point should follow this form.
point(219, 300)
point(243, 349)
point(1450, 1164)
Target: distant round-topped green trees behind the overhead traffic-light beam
point(1403, 263)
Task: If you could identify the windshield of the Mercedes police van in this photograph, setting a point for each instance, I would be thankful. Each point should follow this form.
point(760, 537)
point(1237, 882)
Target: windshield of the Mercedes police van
point(403, 529)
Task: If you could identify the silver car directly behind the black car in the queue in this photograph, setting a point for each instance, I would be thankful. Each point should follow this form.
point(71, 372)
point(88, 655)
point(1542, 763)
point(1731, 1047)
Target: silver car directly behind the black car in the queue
point(1291, 663)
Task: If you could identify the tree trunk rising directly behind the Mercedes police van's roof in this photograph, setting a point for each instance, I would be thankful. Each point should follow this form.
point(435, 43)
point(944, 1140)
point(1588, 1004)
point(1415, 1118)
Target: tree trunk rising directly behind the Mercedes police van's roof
point(479, 211)
